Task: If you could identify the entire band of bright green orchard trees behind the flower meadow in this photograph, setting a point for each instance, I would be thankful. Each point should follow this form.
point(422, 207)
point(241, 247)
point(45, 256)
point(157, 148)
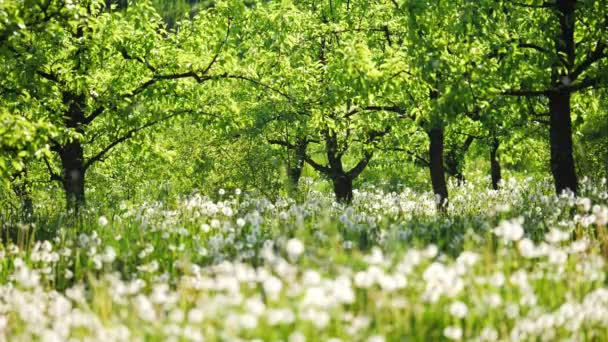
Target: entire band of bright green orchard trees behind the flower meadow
point(338, 89)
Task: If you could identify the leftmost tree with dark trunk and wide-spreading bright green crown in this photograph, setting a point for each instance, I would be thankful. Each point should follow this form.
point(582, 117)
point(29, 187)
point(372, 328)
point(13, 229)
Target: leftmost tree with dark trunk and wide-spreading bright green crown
point(102, 76)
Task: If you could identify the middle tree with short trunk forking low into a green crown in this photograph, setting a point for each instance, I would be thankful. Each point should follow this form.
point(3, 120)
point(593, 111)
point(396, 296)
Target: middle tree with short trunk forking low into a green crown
point(324, 76)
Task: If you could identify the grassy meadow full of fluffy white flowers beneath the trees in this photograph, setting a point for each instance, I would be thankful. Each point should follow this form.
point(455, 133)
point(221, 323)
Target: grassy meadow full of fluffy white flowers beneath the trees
point(514, 264)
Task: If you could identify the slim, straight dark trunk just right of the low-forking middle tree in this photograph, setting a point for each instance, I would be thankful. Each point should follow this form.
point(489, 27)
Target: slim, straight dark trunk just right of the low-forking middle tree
point(436, 167)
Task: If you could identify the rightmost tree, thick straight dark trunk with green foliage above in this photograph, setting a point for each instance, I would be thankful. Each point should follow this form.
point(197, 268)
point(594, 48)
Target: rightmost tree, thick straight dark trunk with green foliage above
point(562, 53)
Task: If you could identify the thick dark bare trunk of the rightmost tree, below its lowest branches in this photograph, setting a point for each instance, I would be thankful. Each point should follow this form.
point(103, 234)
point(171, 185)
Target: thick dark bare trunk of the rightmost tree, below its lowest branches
point(560, 134)
